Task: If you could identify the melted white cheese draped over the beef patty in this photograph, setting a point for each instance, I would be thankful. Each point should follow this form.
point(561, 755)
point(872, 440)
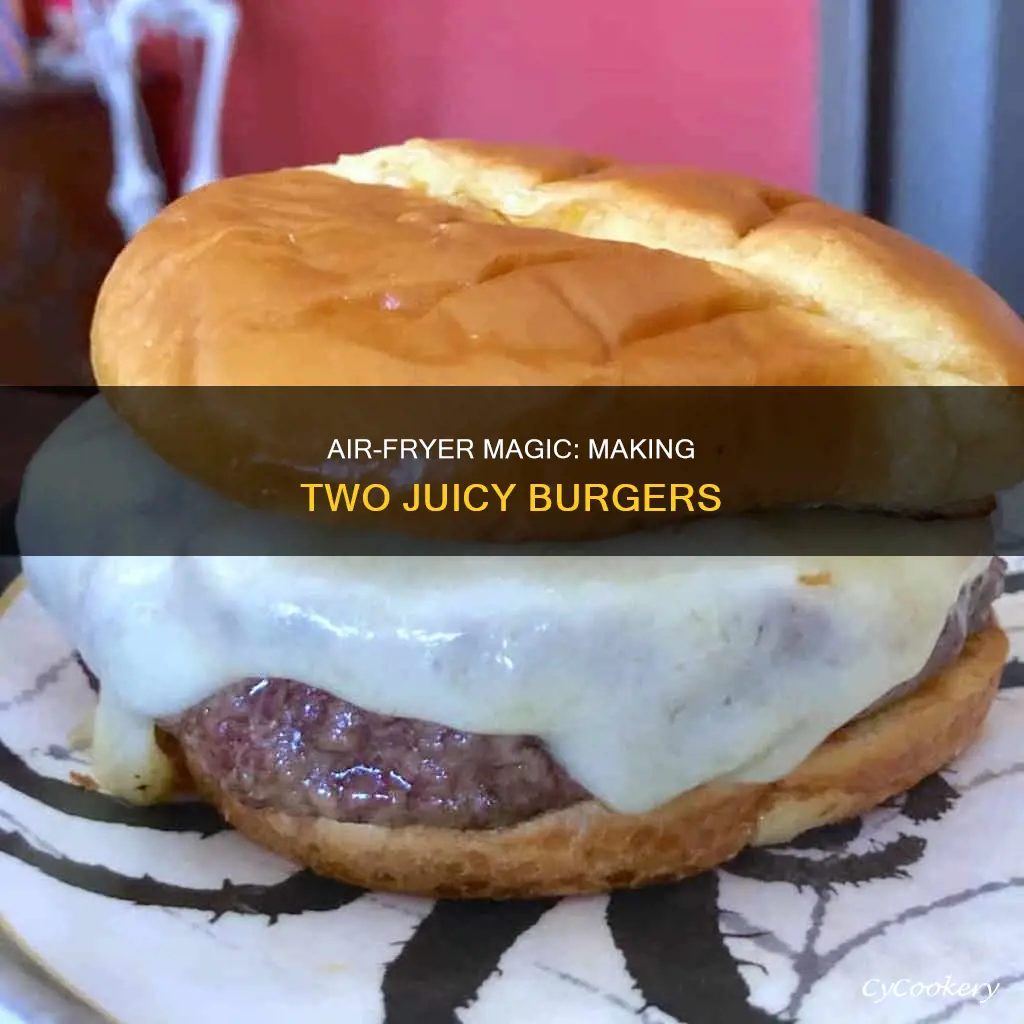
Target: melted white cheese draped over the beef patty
point(645, 675)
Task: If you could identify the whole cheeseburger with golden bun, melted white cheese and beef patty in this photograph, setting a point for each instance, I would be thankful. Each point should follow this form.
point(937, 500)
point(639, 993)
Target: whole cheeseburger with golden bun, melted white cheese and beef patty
point(547, 724)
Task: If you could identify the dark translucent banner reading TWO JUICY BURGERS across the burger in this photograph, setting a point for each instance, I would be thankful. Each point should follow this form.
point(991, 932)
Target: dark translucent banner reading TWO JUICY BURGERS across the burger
point(525, 471)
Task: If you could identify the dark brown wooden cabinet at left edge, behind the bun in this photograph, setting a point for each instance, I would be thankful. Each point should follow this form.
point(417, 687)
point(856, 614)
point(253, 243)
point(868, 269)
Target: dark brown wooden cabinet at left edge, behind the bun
point(58, 238)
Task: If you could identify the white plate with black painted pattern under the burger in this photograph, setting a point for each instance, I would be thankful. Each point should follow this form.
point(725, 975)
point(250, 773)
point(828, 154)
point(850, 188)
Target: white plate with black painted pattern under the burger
point(162, 916)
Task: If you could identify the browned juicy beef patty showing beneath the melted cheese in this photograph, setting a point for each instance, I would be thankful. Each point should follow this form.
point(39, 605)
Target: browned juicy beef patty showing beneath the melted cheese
point(279, 744)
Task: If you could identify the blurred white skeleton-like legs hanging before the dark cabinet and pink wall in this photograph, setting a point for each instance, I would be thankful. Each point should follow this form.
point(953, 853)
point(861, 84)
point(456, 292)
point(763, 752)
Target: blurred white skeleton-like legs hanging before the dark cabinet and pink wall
point(111, 33)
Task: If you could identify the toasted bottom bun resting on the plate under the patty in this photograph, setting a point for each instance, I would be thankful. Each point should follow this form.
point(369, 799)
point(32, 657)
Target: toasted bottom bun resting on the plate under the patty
point(588, 849)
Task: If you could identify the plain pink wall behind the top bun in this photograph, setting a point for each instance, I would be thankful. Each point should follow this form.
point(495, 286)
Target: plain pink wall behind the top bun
point(727, 84)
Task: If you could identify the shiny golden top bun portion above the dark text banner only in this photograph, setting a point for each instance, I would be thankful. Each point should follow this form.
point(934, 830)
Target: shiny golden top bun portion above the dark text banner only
point(374, 286)
